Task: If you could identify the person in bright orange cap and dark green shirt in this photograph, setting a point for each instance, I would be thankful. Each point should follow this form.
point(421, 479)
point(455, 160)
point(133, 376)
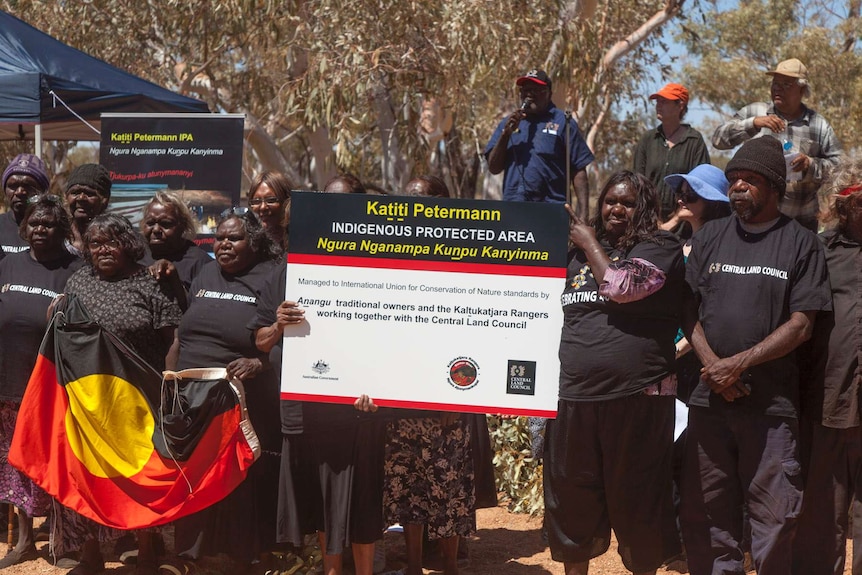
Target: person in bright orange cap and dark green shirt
point(672, 148)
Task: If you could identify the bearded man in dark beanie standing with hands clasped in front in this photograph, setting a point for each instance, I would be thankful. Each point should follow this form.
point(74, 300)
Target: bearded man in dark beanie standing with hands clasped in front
point(758, 278)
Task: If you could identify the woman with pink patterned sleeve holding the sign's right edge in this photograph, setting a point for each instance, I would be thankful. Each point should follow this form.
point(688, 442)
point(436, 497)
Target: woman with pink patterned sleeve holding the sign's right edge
point(608, 452)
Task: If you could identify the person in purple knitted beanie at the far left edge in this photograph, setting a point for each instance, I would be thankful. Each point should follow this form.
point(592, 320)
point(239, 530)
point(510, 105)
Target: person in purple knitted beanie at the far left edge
point(23, 178)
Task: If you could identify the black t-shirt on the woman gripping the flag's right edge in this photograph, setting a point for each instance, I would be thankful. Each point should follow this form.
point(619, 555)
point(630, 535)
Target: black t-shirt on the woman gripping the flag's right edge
point(213, 333)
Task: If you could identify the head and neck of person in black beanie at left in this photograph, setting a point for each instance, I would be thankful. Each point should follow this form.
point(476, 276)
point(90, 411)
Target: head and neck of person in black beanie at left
point(88, 190)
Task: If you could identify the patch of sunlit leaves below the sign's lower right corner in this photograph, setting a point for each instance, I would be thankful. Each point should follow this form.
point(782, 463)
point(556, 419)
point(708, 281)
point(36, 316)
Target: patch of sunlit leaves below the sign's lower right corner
point(517, 472)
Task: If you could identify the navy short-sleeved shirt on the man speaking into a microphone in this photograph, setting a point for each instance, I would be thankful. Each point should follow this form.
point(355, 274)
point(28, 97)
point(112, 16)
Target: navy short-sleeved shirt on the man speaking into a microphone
point(536, 157)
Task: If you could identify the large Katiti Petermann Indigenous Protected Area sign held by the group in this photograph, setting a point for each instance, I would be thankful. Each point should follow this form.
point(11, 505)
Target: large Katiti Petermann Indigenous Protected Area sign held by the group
point(426, 303)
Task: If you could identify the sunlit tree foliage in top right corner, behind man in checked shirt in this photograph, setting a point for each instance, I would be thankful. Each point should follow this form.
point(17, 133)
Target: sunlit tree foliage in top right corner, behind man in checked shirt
point(730, 49)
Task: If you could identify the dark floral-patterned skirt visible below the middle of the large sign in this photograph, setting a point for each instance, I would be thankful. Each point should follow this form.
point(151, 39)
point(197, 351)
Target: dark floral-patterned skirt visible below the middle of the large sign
point(429, 476)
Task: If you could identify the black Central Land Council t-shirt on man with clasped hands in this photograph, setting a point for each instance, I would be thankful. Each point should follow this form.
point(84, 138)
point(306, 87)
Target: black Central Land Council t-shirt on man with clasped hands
point(749, 284)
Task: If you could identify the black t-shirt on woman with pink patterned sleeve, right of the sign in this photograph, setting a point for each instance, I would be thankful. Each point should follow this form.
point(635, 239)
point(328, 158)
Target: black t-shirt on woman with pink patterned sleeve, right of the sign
point(608, 349)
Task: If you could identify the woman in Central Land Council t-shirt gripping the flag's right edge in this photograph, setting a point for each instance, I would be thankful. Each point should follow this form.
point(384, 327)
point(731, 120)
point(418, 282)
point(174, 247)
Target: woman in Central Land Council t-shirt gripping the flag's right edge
point(223, 298)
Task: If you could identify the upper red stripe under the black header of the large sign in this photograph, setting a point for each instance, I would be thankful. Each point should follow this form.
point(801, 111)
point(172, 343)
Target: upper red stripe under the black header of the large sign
point(425, 265)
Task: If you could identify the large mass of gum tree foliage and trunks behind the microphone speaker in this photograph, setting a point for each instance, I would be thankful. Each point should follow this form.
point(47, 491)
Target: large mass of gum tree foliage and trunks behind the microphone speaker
point(343, 82)
